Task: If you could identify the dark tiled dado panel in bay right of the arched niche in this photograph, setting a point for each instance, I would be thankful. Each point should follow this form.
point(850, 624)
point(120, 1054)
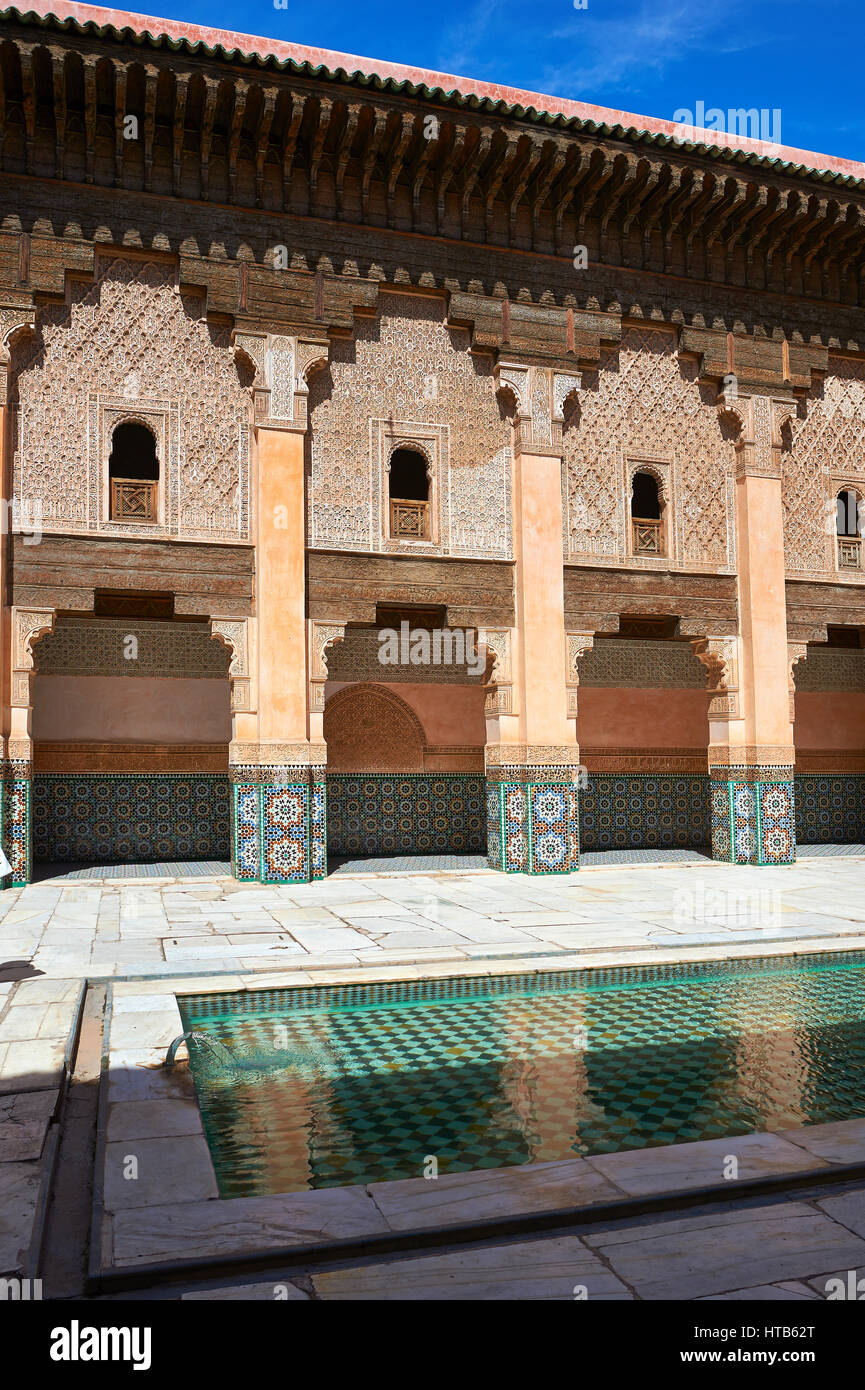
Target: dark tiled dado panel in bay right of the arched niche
point(638, 811)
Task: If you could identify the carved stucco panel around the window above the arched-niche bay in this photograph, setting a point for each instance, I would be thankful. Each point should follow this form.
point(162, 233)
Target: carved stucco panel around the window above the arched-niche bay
point(408, 366)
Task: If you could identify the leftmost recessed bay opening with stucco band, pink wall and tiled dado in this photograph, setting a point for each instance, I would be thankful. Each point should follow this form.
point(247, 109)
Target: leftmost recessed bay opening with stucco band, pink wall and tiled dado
point(131, 728)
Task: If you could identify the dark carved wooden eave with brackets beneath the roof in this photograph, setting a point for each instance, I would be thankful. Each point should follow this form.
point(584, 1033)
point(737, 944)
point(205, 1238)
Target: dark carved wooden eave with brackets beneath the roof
point(213, 129)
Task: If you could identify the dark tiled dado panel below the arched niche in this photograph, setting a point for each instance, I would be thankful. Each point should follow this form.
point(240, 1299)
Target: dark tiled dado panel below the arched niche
point(385, 814)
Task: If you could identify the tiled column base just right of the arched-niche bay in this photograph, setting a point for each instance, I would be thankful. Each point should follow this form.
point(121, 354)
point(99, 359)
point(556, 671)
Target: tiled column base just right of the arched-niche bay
point(533, 821)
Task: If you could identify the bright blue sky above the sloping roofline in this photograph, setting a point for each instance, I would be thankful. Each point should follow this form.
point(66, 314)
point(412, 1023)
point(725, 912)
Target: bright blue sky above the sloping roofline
point(647, 56)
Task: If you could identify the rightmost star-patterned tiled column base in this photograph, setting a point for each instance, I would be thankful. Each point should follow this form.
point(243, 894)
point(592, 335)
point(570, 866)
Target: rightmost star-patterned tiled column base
point(753, 815)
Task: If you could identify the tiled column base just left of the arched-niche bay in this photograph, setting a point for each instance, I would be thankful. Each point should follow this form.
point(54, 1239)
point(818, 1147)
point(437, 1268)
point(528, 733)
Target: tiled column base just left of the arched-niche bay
point(279, 832)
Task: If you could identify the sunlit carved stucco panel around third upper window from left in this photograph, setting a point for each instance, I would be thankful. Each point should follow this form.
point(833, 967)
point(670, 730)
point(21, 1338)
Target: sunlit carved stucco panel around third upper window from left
point(645, 402)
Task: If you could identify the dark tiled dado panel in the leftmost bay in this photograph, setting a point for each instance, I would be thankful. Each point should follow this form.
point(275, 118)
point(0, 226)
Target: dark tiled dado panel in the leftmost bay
point(118, 818)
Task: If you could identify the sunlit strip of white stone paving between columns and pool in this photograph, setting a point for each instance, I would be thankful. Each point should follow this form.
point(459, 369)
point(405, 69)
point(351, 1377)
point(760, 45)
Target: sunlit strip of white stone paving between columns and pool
point(99, 929)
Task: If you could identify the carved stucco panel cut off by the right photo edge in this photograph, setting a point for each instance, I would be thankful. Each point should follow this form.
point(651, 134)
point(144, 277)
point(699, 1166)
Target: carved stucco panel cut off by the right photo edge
point(827, 441)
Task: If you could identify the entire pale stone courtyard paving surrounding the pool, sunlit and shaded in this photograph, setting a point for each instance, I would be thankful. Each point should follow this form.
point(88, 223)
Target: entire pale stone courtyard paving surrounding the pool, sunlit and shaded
point(208, 932)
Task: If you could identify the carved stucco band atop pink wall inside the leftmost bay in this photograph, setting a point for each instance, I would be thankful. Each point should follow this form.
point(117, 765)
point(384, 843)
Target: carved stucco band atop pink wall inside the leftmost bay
point(101, 647)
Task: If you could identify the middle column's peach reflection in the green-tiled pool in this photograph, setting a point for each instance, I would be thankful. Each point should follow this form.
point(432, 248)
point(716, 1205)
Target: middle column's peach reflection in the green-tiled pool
point(544, 1075)
